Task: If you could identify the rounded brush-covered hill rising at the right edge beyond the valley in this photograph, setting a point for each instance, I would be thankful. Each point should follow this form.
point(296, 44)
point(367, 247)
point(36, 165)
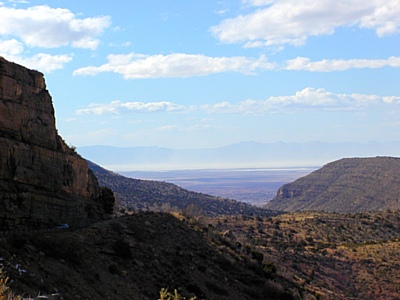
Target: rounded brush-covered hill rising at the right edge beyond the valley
point(348, 185)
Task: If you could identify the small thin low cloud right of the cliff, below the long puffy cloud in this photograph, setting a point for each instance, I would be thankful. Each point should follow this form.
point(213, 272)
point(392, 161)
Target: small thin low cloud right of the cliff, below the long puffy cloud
point(116, 107)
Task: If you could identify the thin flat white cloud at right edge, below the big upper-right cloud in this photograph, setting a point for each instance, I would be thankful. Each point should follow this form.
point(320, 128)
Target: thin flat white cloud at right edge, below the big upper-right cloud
point(329, 65)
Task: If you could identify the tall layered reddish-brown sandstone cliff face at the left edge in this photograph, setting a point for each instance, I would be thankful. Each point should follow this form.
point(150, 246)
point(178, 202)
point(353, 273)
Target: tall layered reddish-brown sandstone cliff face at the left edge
point(42, 181)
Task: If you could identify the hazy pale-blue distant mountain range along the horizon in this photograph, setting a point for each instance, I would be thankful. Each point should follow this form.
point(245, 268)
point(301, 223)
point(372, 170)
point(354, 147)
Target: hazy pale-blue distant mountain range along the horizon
point(240, 155)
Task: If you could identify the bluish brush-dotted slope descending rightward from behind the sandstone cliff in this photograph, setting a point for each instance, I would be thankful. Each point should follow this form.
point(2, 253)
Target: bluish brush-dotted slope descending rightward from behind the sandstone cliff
point(144, 195)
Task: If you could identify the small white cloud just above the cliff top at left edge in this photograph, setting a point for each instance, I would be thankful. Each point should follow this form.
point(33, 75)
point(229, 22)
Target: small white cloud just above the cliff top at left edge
point(12, 50)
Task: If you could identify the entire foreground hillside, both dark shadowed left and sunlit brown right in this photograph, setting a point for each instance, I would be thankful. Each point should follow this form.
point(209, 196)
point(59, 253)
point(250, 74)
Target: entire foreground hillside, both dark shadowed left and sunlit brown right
point(309, 255)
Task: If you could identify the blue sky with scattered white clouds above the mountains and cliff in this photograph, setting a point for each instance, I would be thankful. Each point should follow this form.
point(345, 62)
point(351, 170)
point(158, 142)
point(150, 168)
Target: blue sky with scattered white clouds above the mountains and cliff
point(203, 74)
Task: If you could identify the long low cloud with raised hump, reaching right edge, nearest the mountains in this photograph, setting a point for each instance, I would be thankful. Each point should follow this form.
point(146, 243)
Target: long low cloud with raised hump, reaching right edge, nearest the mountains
point(308, 98)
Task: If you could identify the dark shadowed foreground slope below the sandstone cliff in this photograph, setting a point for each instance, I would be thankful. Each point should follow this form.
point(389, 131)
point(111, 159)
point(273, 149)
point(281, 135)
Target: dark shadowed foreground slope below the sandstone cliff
point(134, 257)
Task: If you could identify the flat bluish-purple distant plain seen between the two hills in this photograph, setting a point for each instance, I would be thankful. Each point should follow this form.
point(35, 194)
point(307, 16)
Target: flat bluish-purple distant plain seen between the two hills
point(253, 186)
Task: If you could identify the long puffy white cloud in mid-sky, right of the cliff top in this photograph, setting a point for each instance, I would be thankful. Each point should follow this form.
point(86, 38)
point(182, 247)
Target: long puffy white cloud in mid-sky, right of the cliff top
point(134, 66)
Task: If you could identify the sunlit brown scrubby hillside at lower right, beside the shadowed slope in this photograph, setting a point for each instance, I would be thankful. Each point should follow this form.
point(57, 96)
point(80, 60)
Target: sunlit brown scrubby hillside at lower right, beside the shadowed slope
point(332, 256)
